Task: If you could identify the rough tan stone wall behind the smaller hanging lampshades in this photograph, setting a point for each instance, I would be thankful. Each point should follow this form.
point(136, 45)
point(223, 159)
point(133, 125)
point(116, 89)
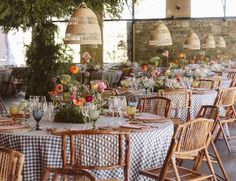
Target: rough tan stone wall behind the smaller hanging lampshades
point(179, 30)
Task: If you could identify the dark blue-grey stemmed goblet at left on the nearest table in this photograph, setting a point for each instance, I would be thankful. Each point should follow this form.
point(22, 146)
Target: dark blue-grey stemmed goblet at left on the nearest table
point(38, 111)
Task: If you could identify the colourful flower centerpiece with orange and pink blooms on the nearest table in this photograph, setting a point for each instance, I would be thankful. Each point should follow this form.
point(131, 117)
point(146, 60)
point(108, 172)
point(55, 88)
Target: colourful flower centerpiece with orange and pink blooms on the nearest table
point(69, 97)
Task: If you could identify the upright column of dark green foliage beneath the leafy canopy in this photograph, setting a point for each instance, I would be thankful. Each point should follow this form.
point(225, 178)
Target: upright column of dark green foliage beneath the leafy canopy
point(43, 59)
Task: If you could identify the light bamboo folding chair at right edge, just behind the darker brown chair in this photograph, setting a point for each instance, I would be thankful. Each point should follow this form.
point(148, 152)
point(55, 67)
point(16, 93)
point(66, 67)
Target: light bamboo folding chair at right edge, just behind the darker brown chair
point(226, 99)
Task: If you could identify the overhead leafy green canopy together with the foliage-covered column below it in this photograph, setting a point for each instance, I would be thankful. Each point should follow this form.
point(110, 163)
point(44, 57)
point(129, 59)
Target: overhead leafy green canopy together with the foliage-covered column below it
point(45, 58)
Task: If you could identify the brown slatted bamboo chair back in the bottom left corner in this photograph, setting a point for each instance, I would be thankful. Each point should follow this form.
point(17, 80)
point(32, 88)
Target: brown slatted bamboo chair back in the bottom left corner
point(11, 165)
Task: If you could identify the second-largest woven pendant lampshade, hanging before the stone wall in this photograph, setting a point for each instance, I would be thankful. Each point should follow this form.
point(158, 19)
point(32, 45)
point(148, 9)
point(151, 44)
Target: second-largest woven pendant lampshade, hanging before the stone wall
point(160, 36)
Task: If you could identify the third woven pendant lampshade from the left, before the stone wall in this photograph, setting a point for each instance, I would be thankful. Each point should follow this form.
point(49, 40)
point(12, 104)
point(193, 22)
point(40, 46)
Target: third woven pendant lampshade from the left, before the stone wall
point(192, 41)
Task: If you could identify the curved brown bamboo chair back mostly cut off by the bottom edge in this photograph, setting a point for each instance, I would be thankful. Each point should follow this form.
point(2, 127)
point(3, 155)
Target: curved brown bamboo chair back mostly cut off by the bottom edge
point(60, 174)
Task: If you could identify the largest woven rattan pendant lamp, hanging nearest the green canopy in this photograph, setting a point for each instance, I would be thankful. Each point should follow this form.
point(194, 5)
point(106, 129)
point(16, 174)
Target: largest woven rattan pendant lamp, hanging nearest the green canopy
point(83, 27)
